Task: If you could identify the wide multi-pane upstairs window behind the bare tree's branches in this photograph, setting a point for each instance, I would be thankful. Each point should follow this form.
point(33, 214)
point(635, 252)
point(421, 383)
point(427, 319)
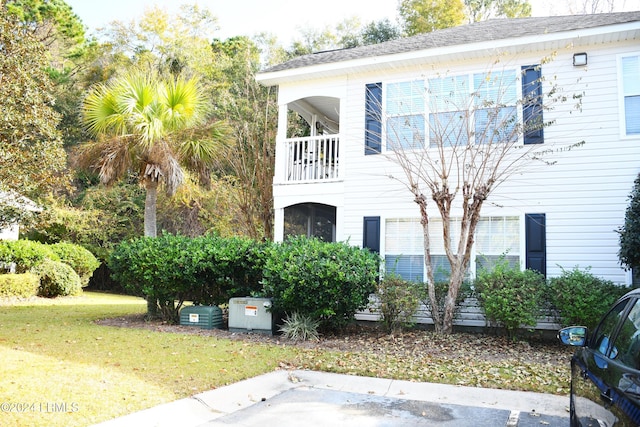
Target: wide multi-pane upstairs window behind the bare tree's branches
point(479, 108)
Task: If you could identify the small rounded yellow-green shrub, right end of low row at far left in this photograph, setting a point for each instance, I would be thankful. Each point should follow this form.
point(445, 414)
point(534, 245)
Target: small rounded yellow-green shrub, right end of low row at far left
point(57, 279)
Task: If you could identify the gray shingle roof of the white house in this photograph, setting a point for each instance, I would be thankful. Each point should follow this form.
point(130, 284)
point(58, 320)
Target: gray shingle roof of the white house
point(485, 31)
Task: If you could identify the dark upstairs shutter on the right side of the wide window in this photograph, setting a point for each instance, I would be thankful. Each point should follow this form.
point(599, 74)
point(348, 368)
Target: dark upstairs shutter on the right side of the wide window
point(532, 104)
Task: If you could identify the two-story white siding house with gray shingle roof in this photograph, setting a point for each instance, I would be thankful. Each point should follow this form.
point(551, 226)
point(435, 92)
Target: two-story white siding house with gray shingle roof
point(335, 183)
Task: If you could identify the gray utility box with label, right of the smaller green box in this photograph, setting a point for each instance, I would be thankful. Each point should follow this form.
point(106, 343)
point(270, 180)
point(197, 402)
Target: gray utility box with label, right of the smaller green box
point(251, 315)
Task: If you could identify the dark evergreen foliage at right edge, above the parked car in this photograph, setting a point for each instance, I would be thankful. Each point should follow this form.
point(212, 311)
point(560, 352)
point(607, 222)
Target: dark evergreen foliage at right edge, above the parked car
point(629, 253)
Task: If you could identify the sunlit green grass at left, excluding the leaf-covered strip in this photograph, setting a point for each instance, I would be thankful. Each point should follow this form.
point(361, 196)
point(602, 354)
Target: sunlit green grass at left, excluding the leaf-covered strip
point(61, 369)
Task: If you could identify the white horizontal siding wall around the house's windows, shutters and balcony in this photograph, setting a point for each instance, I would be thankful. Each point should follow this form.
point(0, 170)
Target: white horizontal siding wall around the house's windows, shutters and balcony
point(584, 195)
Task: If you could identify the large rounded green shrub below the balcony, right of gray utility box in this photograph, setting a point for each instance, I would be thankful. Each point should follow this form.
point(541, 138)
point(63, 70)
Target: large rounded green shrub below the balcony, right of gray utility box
point(325, 281)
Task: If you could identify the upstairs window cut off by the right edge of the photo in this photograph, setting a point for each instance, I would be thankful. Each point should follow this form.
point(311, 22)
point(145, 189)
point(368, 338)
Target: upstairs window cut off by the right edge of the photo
point(630, 70)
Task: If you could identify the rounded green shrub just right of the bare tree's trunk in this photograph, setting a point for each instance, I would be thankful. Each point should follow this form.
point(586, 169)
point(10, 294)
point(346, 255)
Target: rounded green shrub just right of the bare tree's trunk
point(509, 297)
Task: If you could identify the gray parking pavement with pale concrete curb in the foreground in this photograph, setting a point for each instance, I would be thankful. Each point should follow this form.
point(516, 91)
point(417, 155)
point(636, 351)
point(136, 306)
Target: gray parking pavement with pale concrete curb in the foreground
point(308, 398)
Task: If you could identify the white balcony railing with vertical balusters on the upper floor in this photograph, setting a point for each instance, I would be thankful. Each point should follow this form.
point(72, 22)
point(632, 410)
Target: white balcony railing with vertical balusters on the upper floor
point(312, 158)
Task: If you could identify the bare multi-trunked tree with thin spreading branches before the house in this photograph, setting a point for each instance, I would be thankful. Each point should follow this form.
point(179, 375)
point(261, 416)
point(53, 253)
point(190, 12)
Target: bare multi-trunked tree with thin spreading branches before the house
point(469, 143)
